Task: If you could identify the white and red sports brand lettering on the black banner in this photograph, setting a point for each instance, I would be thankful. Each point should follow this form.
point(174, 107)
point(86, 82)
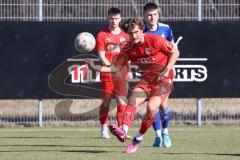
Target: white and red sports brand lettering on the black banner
point(188, 72)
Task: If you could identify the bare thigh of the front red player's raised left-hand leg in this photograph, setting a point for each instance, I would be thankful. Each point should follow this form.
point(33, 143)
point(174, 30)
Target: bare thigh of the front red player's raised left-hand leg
point(137, 96)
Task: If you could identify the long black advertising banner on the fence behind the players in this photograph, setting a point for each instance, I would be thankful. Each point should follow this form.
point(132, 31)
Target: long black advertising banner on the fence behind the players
point(38, 60)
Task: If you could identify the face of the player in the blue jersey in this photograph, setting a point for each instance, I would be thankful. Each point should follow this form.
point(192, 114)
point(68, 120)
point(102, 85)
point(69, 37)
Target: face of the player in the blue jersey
point(151, 17)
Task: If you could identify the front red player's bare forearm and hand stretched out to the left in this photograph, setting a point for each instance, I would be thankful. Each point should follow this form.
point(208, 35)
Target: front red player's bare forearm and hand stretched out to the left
point(99, 68)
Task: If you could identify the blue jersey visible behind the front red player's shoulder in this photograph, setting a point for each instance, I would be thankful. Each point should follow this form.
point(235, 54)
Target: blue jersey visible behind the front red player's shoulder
point(163, 30)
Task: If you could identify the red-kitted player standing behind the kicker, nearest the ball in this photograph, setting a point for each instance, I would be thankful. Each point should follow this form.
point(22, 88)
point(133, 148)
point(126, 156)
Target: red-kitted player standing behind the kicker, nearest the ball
point(108, 45)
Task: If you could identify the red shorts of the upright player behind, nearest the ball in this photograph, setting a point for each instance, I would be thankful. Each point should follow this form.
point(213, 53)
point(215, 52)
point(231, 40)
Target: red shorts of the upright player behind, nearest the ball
point(114, 88)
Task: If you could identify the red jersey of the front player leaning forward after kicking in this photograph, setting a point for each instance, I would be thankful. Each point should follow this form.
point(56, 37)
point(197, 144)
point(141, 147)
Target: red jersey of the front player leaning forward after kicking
point(151, 56)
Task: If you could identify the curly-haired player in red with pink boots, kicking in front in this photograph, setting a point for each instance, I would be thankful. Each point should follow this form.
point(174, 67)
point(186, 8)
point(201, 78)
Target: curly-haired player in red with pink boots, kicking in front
point(155, 56)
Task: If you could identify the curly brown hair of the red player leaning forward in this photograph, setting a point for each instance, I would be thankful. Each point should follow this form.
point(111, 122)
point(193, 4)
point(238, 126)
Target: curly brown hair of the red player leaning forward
point(131, 23)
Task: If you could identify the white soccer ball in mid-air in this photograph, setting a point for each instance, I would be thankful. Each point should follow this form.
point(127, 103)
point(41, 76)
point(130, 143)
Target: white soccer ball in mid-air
point(84, 42)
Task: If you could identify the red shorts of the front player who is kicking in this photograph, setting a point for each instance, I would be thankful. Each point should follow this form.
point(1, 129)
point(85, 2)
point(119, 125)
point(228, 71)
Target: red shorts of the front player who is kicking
point(162, 89)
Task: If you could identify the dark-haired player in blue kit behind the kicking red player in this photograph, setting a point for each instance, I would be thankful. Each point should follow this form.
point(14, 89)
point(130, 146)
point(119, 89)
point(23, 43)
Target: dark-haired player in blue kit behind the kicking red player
point(162, 118)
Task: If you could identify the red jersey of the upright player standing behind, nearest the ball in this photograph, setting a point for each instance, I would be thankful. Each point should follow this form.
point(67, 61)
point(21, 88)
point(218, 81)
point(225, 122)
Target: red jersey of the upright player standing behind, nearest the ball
point(111, 44)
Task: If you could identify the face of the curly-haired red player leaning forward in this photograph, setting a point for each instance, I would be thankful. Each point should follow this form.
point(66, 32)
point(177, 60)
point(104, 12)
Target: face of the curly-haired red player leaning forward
point(136, 35)
